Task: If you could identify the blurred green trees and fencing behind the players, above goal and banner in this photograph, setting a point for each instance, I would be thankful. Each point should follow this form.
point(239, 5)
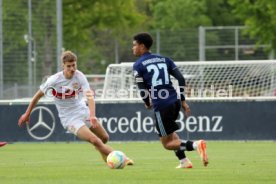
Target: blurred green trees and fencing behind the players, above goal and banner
point(34, 33)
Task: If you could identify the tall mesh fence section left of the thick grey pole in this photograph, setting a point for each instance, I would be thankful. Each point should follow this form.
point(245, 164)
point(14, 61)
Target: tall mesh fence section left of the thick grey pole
point(28, 45)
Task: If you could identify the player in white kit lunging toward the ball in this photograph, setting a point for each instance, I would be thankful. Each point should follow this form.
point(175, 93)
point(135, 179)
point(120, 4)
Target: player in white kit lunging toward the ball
point(68, 88)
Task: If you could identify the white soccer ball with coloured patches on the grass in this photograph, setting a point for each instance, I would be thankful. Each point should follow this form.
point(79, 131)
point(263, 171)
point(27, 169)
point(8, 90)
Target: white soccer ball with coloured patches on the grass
point(116, 160)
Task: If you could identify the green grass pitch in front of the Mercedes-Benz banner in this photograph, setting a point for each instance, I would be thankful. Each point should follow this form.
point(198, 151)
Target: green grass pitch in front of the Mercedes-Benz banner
point(66, 163)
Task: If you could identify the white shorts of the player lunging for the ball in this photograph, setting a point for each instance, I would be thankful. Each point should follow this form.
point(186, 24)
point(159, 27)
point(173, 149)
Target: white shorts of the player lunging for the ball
point(75, 120)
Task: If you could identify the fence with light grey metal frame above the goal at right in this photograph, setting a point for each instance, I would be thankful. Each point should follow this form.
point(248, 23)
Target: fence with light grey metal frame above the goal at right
point(229, 43)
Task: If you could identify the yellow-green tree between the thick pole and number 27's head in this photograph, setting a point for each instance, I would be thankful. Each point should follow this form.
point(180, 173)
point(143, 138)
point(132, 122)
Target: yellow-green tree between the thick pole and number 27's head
point(87, 23)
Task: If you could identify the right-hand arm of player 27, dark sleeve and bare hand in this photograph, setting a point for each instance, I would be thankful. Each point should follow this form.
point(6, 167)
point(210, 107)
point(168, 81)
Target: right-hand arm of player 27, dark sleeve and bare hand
point(181, 82)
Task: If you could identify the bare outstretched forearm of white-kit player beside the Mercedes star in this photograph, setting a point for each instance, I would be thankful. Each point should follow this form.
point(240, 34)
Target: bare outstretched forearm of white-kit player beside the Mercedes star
point(26, 116)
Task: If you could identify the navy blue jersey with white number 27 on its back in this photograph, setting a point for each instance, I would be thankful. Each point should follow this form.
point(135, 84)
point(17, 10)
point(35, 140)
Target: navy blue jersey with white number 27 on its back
point(155, 70)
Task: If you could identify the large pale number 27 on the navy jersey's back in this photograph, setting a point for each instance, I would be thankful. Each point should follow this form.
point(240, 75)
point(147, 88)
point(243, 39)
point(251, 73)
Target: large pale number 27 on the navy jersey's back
point(160, 74)
